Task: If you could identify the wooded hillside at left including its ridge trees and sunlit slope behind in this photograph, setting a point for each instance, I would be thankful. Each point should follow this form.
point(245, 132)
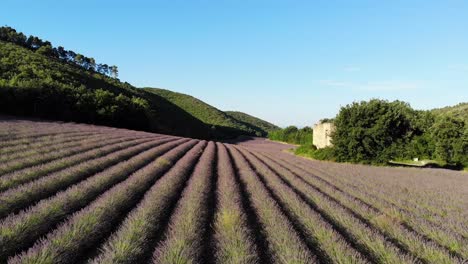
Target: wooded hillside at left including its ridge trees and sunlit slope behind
point(39, 80)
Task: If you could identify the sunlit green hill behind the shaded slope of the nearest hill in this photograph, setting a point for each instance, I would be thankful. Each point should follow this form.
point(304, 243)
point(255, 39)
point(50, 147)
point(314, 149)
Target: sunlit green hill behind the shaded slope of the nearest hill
point(220, 120)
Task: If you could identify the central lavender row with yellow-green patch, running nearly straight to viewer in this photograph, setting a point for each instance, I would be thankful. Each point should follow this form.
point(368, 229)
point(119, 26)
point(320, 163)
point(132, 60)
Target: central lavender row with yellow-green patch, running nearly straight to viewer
point(233, 239)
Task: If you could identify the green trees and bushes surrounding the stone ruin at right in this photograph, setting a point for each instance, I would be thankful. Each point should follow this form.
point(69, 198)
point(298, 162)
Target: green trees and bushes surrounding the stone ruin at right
point(378, 131)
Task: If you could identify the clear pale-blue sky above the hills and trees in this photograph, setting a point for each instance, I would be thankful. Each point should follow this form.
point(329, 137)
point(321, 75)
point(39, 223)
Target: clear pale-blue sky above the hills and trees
point(289, 62)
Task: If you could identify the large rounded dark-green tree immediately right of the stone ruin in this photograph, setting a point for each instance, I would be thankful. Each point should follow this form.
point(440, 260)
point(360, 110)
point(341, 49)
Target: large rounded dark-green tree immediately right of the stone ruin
point(371, 132)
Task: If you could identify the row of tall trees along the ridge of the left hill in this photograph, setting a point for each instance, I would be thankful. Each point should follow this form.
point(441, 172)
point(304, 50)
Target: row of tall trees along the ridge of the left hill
point(46, 48)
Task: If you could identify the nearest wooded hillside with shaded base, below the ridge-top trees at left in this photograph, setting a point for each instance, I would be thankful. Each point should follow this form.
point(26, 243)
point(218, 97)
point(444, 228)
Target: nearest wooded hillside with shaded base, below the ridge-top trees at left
point(36, 85)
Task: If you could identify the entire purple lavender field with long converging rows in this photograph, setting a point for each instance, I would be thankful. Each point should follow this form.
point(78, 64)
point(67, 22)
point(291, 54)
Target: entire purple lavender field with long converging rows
point(74, 193)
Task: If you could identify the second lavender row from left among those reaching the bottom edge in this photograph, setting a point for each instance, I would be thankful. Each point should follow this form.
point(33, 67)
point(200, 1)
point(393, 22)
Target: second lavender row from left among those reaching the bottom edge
point(135, 238)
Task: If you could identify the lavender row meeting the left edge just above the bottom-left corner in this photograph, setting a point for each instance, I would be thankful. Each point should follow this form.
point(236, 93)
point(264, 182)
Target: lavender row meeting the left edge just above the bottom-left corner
point(21, 230)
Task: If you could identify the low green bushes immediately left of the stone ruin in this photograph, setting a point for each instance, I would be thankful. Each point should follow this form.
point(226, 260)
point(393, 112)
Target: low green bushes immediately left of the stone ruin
point(292, 135)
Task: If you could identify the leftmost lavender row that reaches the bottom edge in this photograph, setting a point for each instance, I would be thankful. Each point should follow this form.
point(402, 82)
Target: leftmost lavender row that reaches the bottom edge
point(93, 223)
